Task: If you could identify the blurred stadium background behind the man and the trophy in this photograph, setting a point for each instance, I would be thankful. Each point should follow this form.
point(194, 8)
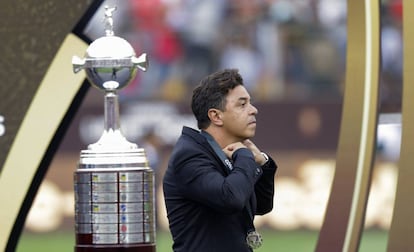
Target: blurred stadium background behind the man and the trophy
point(291, 54)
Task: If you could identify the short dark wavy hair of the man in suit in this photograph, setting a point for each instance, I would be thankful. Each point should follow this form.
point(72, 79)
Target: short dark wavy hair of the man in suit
point(212, 92)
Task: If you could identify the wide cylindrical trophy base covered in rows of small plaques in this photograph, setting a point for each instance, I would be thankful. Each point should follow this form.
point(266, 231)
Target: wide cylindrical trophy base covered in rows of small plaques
point(114, 202)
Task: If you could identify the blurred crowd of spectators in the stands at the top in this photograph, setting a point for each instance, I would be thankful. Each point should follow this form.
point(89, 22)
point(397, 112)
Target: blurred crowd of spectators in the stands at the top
point(285, 49)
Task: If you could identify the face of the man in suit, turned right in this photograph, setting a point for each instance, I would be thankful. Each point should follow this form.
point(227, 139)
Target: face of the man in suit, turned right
point(239, 118)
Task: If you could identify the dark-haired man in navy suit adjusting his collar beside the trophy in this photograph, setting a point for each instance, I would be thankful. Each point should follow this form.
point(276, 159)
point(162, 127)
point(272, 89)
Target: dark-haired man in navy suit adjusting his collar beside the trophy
point(217, 179)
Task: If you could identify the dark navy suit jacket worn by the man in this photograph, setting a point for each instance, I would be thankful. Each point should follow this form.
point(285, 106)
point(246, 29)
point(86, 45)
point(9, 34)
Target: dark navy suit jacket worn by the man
point(206, 201)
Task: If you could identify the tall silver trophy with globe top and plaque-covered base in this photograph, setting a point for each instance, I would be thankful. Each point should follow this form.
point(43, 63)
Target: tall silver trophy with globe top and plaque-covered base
point(114, 188)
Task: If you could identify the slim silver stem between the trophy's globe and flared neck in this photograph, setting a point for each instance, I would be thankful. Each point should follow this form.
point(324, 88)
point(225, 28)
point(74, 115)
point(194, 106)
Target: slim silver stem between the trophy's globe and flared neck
point(111, 111)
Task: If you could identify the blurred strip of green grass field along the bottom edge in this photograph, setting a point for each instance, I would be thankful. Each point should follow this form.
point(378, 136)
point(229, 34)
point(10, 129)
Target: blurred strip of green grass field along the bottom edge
point(293, 241)
